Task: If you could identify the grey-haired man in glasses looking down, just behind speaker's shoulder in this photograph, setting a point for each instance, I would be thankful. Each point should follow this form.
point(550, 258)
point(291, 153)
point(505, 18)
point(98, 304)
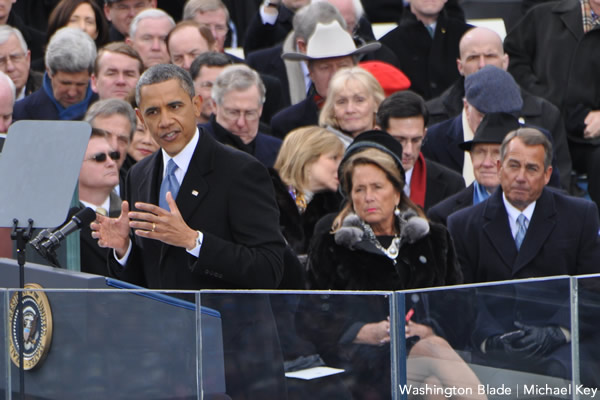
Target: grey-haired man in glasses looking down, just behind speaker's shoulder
point(238, 95)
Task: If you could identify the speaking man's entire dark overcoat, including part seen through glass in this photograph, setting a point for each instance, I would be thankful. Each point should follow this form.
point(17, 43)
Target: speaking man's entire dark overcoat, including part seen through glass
point(227, 195)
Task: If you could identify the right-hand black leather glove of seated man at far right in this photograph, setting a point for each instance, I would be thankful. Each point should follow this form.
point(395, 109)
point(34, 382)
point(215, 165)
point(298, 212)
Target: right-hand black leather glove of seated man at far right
point(538, 341)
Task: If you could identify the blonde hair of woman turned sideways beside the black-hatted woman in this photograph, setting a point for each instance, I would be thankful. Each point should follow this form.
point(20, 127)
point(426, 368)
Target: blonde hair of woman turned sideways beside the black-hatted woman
point(302, 147)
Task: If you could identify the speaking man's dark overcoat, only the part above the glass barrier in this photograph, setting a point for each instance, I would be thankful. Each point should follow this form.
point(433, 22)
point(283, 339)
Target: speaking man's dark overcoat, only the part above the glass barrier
point(221, 184)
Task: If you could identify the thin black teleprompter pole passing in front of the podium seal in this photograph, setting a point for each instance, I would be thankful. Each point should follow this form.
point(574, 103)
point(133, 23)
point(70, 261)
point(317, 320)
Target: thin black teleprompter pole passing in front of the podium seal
point(21, 236)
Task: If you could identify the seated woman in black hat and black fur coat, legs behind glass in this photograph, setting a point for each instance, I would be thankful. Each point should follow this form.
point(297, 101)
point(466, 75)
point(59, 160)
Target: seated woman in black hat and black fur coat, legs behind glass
point(380, 241)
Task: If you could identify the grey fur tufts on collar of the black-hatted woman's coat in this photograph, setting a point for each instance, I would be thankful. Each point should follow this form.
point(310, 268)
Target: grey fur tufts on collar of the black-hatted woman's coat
point(411, 227)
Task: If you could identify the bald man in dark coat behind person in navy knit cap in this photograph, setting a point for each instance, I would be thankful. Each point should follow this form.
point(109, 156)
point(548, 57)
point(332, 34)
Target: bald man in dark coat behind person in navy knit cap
point(480, 47)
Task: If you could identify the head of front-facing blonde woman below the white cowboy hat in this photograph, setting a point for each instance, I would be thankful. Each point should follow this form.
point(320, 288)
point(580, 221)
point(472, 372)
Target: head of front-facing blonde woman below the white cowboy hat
point(352, 101)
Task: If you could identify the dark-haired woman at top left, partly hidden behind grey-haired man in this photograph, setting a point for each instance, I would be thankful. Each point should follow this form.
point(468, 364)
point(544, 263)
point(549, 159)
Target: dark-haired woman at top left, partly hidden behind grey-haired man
point(83, 14)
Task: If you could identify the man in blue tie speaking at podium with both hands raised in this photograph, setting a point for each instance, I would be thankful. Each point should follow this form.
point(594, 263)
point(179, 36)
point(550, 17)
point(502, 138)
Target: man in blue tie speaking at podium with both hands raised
point(203, 217)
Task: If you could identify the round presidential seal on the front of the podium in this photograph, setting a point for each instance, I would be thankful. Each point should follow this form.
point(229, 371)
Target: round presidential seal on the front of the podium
point(37, 327)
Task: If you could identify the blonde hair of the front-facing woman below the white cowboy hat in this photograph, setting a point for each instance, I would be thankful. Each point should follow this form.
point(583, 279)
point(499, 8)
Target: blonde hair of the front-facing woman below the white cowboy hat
point(339, 81)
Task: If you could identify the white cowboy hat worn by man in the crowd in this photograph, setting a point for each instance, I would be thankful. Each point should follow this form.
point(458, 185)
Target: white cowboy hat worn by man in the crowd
point(330, 40)
